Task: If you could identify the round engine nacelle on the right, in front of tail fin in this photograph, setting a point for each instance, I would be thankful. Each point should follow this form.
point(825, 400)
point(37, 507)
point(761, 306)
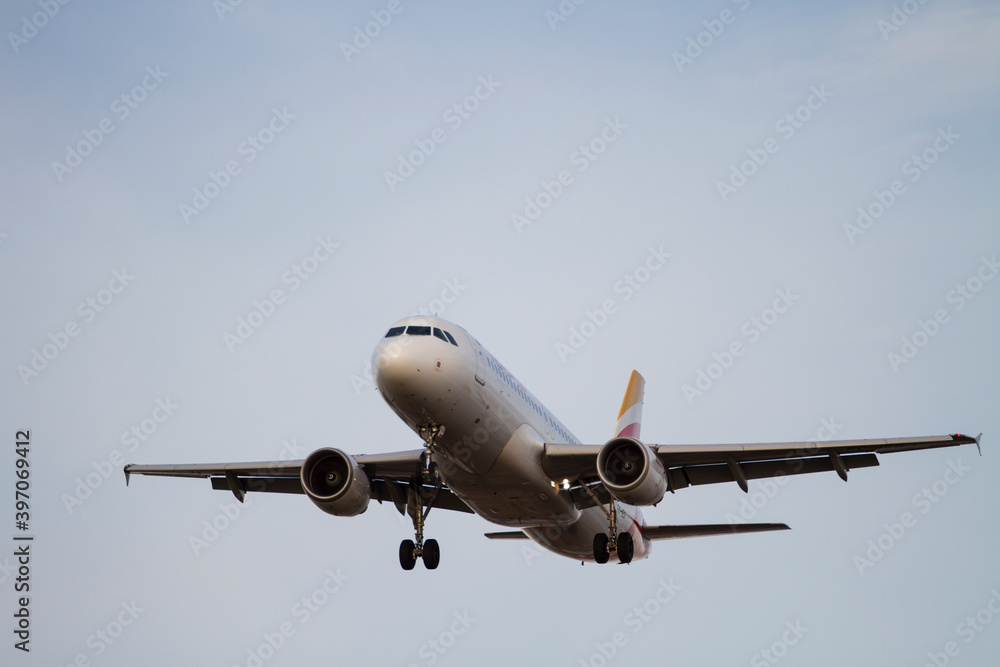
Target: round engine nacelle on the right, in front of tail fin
point(631, 472)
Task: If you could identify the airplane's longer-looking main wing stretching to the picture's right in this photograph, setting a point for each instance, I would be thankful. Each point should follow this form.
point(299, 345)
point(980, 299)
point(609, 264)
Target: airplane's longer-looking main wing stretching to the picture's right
point(693, 465)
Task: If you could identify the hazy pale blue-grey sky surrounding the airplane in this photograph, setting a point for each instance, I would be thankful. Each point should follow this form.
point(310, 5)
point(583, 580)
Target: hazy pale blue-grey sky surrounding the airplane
point(210, 79)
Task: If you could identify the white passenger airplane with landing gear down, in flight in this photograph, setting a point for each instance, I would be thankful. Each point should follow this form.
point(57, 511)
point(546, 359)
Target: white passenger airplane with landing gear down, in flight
point(491, 448)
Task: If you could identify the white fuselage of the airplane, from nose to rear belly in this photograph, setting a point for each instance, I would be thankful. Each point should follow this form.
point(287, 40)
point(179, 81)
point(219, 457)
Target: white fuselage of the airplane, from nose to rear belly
point(489, 454)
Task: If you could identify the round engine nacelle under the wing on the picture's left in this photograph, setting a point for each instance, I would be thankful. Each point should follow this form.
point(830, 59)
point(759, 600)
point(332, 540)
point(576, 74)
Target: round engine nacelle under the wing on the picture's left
point(335, 482)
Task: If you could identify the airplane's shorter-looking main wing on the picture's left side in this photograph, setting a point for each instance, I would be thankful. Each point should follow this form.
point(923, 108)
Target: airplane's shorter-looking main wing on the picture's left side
point(389, 477)
